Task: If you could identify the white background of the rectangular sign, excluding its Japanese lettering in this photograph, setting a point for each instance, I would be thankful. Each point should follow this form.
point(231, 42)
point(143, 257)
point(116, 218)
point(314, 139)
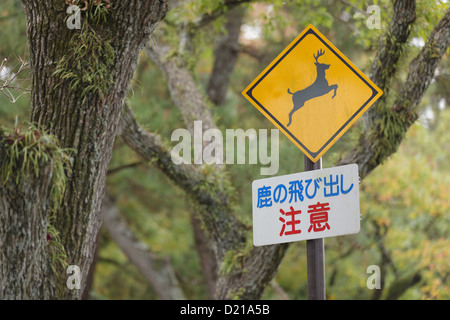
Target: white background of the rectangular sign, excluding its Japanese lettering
point(344, 214)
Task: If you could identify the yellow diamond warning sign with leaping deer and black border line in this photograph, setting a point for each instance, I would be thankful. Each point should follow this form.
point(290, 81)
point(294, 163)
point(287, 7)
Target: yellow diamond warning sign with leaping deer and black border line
point(312, 93)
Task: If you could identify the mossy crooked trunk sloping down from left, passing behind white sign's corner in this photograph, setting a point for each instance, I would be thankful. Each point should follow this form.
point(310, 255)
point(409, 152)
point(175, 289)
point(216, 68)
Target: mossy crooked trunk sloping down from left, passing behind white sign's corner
point(213, 208)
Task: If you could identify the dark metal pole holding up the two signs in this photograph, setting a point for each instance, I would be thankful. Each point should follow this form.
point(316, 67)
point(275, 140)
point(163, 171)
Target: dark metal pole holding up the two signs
point(315, 254)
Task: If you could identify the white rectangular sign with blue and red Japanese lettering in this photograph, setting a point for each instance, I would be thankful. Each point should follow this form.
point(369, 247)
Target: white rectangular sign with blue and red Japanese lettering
point(307, 205)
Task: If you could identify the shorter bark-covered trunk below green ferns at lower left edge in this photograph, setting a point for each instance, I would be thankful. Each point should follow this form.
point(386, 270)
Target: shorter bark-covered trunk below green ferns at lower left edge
point(24, 263)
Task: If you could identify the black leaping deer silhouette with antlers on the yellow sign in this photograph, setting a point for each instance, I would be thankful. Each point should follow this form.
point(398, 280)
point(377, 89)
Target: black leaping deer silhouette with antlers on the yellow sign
point(318, 88)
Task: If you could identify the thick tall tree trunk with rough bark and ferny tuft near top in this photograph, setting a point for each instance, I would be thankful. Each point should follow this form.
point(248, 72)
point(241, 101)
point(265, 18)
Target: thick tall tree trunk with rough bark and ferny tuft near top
point(81, 104)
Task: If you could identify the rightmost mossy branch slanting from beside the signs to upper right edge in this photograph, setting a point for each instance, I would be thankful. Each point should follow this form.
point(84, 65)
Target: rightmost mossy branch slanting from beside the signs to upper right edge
point(388, 125)
